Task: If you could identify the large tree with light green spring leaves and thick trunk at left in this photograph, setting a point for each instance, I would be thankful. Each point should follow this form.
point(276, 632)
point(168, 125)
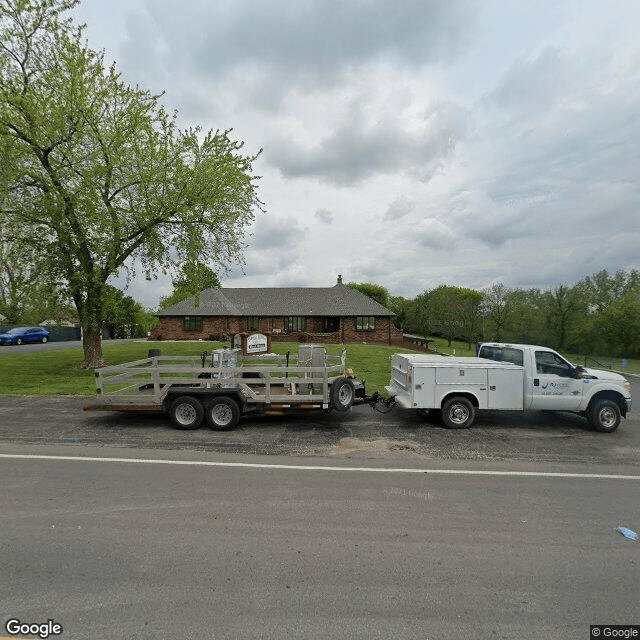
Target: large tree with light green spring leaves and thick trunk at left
point(96, 176)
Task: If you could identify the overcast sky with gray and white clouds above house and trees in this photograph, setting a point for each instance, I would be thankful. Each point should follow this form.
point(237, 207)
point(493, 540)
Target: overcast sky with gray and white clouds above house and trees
point(409, 143)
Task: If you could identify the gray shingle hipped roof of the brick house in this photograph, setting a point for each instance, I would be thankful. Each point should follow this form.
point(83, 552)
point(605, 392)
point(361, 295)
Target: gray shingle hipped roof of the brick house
point(339, 300)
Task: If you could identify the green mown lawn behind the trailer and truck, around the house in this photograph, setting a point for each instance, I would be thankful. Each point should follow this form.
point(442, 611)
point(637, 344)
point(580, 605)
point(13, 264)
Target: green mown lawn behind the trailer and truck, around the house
point(56, 372)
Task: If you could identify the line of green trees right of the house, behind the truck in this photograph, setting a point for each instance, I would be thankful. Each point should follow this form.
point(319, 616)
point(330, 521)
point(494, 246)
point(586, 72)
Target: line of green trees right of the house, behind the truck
point(598, 315)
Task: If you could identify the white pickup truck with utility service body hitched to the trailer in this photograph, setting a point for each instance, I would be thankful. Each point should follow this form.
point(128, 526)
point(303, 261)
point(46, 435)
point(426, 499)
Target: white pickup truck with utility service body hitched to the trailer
point(510, 377)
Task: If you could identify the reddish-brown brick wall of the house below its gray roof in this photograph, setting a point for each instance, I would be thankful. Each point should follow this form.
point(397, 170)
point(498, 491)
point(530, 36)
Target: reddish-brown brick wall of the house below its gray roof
point(224, 328)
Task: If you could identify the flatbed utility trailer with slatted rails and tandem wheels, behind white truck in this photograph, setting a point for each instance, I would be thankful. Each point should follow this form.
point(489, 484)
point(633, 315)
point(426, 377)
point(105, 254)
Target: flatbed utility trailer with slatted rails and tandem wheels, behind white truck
point(224, 385)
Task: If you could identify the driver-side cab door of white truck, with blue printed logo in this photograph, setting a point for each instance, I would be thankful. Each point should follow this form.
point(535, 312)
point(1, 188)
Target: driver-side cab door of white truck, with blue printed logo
point(554, 384)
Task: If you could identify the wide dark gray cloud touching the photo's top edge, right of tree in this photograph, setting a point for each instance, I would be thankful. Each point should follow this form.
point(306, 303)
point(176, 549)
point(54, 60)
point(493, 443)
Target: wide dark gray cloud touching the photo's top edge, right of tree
point(323, 38)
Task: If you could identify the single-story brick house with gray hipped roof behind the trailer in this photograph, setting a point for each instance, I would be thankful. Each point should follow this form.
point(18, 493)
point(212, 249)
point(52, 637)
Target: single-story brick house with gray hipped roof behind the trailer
point(321, 315)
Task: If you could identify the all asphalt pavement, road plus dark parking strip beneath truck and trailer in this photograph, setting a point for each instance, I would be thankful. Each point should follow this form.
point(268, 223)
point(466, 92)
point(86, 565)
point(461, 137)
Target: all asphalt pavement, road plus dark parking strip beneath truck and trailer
point(402, 528)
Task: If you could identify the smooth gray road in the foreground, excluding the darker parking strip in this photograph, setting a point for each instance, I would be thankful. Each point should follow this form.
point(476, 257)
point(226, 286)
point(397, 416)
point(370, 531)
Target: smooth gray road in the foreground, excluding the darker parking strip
point(149, 550)
